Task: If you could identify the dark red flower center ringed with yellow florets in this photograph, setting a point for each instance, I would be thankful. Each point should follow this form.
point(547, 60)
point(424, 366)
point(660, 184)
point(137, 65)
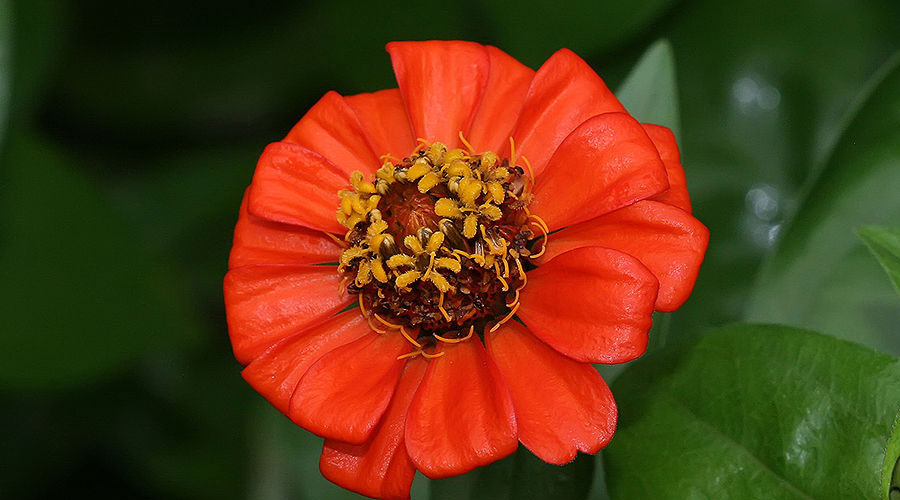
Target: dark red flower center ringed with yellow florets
point(439, 242)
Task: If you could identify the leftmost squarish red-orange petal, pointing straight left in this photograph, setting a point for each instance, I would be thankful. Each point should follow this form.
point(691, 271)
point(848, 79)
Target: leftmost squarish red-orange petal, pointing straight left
point(265, 304)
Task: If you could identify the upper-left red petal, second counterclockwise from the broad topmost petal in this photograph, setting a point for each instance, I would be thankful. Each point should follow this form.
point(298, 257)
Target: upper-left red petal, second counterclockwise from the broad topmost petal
point(332, 129)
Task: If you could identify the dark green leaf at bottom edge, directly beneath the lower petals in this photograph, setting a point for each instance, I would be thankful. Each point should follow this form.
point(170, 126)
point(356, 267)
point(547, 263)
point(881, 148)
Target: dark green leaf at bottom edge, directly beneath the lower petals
point(521, 475)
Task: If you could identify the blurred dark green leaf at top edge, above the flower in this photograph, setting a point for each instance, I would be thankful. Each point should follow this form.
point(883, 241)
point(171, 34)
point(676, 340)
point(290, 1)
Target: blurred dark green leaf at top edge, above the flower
point(532, 30)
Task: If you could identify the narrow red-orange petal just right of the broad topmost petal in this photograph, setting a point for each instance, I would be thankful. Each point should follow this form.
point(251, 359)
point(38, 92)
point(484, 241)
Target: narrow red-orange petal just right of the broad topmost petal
point(508, 82)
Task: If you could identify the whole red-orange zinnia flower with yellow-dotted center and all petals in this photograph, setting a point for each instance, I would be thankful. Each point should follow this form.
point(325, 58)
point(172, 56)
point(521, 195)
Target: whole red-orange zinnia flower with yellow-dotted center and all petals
point(499, 228)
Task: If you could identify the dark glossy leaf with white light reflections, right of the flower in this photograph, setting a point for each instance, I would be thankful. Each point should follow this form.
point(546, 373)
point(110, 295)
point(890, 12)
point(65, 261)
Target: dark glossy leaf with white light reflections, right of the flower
point(763, 86)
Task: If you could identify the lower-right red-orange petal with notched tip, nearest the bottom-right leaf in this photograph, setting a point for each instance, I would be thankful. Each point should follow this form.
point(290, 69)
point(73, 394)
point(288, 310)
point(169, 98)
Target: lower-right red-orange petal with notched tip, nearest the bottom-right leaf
point(562, 406)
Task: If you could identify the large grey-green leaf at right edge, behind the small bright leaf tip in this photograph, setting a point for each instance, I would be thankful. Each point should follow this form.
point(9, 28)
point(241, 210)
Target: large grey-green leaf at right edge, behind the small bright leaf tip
point(821, 276)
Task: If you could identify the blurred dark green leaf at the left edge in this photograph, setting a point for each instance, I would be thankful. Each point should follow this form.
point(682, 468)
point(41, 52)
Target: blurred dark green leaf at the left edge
point(86, 298)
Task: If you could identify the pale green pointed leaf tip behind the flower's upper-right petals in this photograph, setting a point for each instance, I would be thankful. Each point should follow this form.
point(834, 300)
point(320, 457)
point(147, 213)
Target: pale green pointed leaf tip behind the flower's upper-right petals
point(650, 92)
